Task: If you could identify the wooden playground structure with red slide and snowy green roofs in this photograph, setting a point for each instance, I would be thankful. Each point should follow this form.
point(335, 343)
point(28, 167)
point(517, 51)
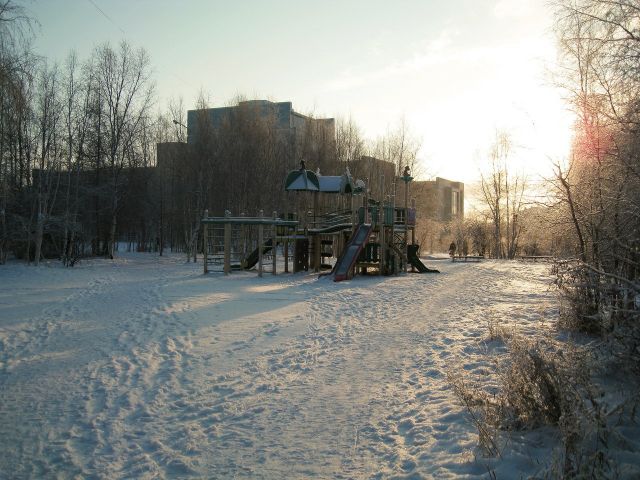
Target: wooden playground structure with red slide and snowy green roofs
point(368, 236)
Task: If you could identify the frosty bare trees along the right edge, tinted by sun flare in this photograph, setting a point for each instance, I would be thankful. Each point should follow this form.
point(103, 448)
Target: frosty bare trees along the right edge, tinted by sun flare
point(596, 191)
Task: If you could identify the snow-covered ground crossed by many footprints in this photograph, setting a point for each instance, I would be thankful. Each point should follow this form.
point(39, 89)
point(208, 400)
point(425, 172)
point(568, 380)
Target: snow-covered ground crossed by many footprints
point(142, 367)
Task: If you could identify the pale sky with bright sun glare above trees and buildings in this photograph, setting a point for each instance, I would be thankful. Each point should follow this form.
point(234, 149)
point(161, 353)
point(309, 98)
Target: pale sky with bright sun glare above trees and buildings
point(456, 71)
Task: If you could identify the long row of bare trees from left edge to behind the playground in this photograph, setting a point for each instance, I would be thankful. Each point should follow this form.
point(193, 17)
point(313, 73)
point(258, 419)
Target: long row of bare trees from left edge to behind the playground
point(78, 143)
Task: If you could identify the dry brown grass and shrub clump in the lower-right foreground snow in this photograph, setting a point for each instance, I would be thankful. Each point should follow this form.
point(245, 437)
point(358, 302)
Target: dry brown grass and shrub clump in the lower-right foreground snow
point(540, 385)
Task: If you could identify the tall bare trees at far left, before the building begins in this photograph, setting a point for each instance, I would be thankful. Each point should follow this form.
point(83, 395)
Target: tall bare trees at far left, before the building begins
point(70, 135)
